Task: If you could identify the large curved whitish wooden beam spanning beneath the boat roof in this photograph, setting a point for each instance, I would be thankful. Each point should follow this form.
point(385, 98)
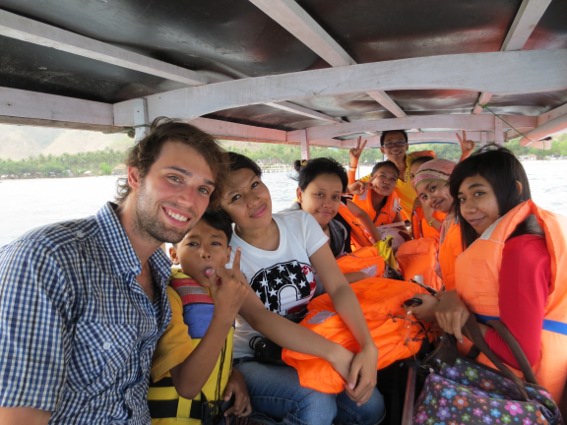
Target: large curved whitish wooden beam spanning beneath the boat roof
point(495, 72)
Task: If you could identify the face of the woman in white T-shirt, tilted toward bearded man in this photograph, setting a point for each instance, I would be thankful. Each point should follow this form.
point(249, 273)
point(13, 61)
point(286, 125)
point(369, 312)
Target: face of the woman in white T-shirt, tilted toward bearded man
point(247, 201)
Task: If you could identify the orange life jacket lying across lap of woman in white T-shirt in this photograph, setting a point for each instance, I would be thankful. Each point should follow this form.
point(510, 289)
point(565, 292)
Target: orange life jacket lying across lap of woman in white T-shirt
point(397, 335)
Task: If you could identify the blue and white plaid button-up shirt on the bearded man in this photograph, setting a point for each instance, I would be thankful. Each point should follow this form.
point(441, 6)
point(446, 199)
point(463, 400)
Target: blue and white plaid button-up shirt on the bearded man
point(77, 332)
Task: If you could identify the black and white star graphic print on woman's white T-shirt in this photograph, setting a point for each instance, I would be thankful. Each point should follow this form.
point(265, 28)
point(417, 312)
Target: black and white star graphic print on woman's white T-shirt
point(284, 286)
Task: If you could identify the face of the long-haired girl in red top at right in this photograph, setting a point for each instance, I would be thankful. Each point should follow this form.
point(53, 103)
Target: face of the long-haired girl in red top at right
point(478, 203)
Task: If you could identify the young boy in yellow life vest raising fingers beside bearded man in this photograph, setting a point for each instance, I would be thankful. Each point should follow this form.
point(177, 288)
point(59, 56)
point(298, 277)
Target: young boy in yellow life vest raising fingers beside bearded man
point(198, 341)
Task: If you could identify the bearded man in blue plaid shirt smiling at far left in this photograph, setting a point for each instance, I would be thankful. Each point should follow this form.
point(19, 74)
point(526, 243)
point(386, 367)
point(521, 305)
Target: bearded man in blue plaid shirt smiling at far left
point(83, 302)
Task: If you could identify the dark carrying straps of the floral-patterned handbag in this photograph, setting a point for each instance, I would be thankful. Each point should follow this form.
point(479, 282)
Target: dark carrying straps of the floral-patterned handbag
point(473, 331)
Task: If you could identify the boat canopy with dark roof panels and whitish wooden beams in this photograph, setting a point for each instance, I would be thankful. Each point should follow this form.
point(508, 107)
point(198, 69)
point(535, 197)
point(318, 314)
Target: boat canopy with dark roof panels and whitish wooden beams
point(306, 72)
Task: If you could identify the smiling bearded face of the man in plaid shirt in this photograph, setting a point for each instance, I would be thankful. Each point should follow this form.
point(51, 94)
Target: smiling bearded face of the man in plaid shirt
point(173, 195)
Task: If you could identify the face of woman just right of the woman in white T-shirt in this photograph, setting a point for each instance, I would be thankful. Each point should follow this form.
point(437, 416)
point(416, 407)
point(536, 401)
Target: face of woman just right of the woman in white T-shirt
point(322, 197)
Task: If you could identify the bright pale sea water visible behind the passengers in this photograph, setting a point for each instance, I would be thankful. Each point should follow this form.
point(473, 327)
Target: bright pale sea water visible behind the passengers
point(26, 204)
